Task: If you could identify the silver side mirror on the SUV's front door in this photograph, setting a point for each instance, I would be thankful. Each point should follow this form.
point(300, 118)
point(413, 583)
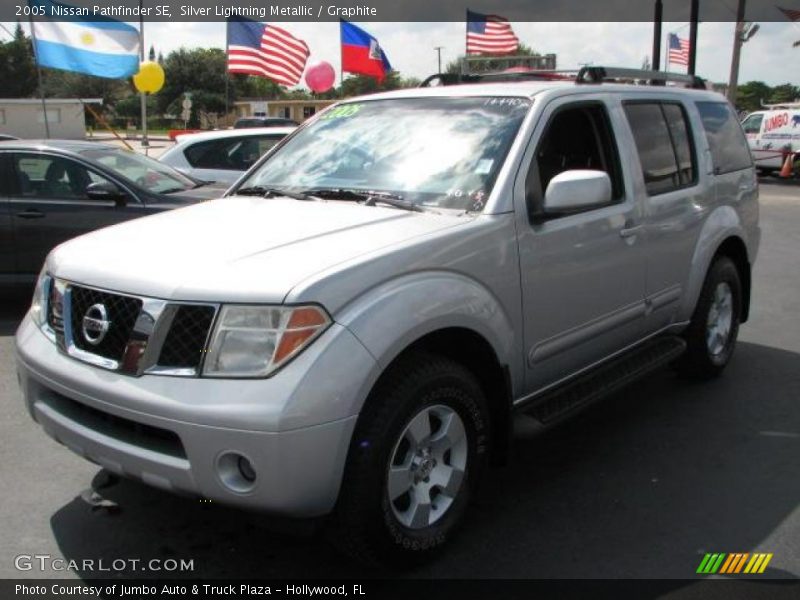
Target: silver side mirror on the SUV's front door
point(575, 190)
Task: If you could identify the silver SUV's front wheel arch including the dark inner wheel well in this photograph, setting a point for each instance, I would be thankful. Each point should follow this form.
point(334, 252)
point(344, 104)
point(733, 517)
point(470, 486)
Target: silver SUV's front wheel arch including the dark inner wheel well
point(448, 314)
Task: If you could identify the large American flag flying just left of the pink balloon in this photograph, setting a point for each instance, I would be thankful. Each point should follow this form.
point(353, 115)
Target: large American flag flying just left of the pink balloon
point(266, 51)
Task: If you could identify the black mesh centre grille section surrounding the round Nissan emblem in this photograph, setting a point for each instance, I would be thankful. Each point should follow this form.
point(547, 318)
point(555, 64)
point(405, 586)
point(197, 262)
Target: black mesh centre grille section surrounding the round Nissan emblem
point(122, 313)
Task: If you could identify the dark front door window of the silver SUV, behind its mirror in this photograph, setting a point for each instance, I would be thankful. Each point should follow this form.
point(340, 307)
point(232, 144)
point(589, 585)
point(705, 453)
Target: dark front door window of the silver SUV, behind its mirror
point(577, 137)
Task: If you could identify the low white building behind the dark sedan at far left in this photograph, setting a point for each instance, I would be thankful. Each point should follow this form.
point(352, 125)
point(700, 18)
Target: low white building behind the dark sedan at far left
point(24, 117)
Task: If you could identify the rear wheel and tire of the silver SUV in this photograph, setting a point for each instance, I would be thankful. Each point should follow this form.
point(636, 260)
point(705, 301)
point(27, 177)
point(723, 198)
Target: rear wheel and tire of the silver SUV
point(711, 335)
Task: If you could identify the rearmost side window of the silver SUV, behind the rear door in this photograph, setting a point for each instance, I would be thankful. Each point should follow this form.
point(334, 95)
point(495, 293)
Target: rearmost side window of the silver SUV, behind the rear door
point(729, 149)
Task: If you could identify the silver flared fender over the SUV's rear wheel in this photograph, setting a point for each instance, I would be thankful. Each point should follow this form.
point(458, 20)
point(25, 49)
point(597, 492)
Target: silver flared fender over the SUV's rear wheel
point(721, 224)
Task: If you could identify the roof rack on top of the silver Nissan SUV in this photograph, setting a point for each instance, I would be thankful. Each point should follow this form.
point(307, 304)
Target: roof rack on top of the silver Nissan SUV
point(590, 74)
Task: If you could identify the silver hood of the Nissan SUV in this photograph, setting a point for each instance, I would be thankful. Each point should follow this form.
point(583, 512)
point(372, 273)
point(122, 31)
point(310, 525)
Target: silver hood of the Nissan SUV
point(235, 249)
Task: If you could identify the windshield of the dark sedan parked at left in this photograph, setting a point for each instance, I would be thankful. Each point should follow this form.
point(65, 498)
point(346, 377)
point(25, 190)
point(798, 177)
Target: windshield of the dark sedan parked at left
point(146, 172)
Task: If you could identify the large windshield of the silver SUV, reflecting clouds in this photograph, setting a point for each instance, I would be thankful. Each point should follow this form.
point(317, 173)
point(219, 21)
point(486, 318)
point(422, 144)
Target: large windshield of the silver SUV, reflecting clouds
point(436, 152)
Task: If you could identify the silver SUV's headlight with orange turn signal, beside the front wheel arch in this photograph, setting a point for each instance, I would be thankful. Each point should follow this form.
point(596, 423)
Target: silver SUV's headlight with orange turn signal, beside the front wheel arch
point(255, 341)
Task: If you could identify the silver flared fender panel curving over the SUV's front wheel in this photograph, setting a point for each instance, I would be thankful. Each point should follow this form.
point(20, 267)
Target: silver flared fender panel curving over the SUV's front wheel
point(390, 317)
